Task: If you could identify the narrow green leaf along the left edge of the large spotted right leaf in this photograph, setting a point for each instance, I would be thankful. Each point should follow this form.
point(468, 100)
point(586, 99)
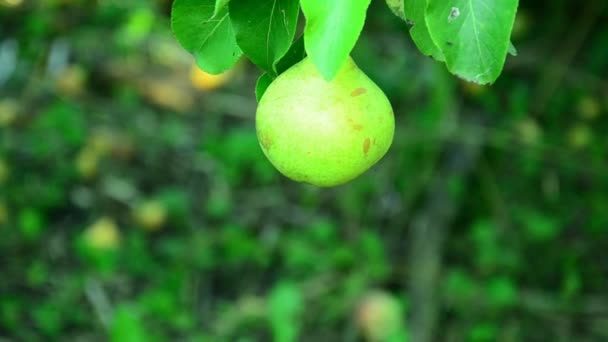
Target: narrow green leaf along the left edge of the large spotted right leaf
point(415, 12)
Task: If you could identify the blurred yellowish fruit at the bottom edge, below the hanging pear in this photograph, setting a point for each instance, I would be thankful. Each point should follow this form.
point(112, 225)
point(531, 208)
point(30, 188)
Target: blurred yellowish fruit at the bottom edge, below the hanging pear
point(379, 316)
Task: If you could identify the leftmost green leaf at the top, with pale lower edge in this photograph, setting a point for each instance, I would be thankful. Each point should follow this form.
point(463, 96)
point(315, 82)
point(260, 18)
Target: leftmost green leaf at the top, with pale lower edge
point(208, 37)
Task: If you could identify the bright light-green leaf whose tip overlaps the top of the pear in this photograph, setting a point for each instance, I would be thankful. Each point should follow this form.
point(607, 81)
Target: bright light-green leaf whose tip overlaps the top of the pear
point(332, 29)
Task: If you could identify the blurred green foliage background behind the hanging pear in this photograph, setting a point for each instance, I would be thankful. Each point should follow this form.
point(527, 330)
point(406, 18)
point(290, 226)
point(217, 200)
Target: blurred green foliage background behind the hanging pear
point(137, 206)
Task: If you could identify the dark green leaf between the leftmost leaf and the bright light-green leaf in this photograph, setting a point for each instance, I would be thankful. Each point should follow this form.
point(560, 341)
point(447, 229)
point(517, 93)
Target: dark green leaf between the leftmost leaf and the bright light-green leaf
point(264, 29)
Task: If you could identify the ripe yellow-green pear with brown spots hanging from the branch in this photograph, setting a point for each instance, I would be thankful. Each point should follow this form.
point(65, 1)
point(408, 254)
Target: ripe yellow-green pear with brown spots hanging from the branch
point(325, 133)
